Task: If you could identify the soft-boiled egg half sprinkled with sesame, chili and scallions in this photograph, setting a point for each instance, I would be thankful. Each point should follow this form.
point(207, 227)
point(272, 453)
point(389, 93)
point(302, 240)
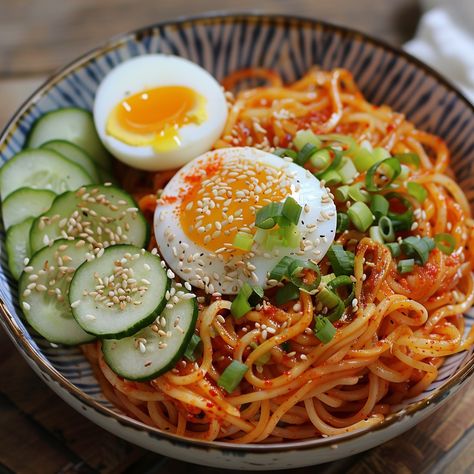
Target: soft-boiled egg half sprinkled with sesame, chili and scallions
point(216, 196)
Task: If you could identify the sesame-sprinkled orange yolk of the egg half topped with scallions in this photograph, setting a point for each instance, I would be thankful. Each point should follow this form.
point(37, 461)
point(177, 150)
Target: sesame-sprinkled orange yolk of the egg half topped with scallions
point(223, 198)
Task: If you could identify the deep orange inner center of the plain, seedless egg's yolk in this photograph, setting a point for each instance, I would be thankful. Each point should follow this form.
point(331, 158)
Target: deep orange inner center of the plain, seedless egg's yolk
point(151, 111)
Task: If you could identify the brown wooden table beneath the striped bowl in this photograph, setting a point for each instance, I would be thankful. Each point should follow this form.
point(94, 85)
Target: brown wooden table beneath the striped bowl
point(39, 433)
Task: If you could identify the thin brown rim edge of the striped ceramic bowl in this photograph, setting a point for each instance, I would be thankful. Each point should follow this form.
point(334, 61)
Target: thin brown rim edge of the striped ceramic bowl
point(16, 334)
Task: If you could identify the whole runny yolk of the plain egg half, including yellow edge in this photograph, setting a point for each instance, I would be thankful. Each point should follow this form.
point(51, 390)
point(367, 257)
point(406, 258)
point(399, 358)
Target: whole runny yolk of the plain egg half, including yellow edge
point(154, 116)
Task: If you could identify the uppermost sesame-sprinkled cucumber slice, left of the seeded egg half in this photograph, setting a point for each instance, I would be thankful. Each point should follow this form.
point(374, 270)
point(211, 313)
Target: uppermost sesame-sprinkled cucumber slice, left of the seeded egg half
point(102, 215)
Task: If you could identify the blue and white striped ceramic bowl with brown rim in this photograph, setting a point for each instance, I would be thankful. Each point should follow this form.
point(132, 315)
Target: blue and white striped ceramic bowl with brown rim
point(223, 44)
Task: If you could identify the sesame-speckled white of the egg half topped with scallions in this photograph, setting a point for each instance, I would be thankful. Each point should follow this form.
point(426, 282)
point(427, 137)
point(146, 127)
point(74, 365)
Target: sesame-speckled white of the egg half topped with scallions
point(317, 226)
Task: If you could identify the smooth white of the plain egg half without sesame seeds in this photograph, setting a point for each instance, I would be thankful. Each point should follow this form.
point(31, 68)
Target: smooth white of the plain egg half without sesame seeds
point(147, 72)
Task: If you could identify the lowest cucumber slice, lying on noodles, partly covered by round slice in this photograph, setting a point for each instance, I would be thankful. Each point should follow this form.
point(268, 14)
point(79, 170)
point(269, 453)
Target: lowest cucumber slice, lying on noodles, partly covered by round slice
point(160, 352)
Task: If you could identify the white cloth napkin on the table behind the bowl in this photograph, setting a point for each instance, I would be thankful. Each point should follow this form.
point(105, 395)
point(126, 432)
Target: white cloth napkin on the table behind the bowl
point(445, 41)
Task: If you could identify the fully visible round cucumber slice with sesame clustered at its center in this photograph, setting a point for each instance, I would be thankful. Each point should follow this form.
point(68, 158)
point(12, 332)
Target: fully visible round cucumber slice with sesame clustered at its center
point(120, 292)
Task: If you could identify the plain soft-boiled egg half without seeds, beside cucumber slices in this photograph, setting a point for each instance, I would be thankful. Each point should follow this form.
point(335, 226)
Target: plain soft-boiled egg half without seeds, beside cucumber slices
point(157, 112)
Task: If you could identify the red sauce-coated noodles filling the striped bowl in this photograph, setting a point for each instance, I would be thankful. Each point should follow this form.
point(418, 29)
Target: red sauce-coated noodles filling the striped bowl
point(388, 349)
